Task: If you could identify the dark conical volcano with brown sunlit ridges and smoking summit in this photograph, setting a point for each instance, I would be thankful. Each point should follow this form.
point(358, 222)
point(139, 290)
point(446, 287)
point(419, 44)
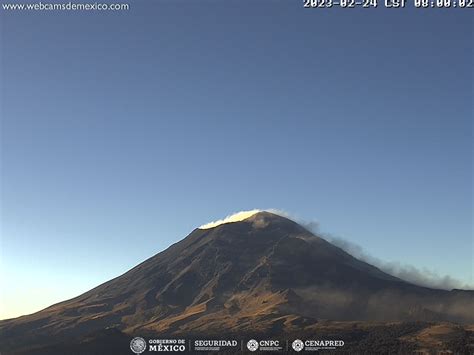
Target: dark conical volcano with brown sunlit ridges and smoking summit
point(264, 274)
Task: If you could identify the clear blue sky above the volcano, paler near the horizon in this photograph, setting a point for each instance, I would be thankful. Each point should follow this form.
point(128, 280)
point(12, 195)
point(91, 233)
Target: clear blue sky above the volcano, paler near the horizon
point(122, 132)
